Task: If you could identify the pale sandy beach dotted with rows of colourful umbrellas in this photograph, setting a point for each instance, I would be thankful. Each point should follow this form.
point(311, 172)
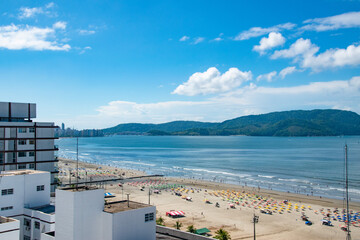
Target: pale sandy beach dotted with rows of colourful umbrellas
point(284, 223)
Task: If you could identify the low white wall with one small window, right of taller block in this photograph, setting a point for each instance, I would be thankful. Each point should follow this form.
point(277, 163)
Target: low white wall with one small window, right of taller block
point(129, 225)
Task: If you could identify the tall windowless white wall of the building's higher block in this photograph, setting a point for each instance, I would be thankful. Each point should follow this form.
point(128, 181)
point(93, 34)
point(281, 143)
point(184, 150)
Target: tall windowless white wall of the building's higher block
point(79, 214)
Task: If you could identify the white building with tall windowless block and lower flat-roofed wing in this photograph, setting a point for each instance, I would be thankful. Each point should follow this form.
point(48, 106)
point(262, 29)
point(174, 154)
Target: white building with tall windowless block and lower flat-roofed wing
point(81, 214)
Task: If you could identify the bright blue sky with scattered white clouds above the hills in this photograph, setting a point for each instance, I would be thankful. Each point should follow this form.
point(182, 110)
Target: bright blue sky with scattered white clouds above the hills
point(95, 64)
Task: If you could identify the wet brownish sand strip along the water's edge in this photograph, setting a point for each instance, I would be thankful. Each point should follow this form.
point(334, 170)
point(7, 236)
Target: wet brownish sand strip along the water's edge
point(279, 195)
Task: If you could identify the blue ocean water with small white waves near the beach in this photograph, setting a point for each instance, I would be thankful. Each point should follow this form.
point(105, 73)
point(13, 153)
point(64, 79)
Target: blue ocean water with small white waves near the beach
point(307, 165)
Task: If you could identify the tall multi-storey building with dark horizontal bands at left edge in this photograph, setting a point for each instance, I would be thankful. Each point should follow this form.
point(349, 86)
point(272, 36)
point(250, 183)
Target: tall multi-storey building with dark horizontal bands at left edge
point(25, 144)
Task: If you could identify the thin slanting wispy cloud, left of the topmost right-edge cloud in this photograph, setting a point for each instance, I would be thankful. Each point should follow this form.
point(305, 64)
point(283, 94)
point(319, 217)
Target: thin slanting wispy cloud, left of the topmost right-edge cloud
point(259, 31)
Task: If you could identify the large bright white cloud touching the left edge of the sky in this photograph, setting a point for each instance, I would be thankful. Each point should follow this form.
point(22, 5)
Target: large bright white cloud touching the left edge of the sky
point(16, 37)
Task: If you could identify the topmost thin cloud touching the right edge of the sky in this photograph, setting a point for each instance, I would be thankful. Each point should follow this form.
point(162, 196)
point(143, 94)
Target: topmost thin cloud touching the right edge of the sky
point(345, 20)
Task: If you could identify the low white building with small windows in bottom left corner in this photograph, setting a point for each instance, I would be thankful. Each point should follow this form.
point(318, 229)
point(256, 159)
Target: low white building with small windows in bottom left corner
point(25, 196)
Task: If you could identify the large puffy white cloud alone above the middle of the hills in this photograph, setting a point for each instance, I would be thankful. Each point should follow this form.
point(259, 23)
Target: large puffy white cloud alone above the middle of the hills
point(212, 81)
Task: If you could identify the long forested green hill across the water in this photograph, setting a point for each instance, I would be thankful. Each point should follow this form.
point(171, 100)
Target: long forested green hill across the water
point(287, 123)
